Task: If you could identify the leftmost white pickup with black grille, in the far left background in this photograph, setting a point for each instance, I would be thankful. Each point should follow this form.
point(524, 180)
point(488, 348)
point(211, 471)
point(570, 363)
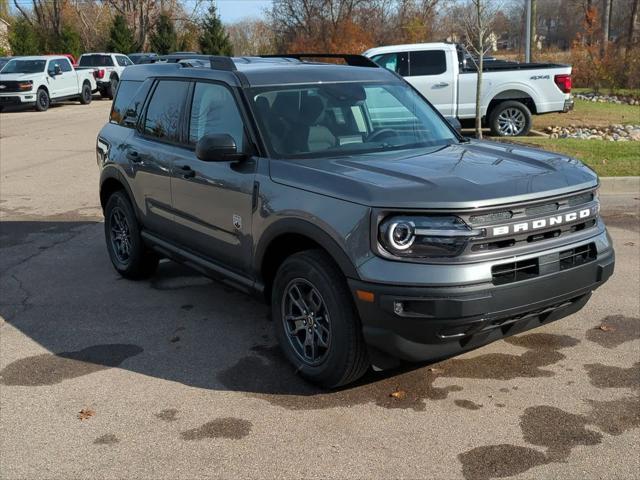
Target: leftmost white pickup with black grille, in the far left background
point(41, 80)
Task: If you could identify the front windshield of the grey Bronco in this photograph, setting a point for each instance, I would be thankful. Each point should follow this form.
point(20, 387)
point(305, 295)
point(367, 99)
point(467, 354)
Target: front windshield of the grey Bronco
point(338, 119)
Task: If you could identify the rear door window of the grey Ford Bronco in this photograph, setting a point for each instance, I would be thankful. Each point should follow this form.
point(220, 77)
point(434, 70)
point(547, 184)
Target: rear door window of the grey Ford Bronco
point(163, 114)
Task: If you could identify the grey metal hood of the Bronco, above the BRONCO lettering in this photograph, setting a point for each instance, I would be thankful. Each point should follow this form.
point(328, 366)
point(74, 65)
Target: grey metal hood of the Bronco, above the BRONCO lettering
point(467, 175)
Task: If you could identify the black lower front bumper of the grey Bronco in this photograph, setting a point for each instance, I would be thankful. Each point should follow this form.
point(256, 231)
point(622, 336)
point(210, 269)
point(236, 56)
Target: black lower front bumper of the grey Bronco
point(417, 323)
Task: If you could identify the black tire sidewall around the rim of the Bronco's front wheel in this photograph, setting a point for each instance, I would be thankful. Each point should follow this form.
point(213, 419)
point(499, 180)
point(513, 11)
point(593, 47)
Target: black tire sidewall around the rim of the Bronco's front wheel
point(341, 318)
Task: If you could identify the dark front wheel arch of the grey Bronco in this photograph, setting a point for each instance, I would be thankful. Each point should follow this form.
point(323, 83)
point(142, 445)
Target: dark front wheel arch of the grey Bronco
point(289, 236)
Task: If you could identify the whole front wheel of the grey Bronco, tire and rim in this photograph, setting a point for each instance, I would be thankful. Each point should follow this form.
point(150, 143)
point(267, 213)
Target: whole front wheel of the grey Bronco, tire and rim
point(316, 322)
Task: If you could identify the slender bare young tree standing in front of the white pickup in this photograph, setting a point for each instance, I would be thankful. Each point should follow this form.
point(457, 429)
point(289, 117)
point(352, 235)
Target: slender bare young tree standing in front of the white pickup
point(478, 17)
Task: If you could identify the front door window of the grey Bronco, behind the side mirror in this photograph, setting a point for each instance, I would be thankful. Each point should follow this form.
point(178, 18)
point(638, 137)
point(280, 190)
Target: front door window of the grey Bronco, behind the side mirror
point(214, 110)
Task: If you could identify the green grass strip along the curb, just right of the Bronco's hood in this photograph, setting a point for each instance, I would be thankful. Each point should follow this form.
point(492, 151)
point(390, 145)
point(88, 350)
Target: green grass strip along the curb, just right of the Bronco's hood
point(608, 159)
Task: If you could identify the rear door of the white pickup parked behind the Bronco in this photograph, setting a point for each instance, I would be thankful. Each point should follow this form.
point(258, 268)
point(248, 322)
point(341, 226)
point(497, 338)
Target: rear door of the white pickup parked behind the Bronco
point(432, 75)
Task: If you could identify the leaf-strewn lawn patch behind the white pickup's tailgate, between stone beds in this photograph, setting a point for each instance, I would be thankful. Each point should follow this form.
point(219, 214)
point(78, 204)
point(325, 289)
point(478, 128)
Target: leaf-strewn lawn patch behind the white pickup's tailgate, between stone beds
point(590, 114)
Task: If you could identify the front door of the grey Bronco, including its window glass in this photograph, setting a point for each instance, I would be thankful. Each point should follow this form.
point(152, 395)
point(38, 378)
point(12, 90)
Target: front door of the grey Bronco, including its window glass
point(212, 201)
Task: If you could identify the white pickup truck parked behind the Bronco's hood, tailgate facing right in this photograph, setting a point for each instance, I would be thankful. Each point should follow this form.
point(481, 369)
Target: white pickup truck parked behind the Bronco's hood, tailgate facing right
point(511, 92)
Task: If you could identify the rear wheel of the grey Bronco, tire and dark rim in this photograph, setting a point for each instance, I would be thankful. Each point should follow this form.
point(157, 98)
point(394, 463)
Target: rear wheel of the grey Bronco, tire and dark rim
point(119, 222)
